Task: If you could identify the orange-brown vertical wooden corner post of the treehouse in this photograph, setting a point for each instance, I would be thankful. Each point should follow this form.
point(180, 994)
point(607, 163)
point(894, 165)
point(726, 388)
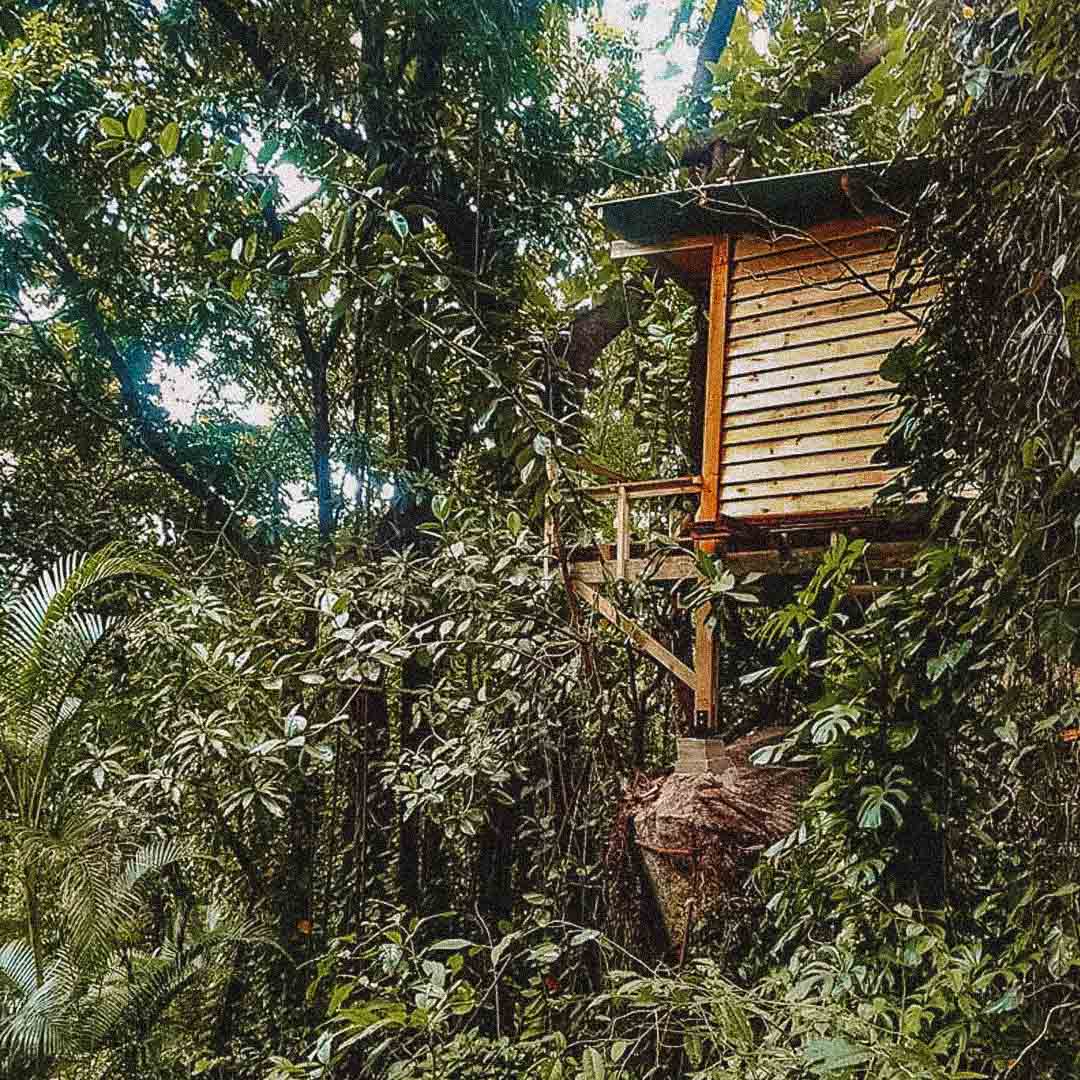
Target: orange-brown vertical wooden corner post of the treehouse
point(705, 658)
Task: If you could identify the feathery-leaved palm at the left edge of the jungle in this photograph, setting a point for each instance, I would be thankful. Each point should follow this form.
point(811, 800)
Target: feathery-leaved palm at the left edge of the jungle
point(65, 987)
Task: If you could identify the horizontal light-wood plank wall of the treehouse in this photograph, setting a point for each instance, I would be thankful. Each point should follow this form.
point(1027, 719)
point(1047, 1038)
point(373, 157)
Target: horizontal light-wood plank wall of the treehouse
point(806, 323)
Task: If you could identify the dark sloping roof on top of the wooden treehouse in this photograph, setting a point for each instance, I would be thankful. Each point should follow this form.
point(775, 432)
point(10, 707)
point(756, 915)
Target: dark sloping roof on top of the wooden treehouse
point(798, 200)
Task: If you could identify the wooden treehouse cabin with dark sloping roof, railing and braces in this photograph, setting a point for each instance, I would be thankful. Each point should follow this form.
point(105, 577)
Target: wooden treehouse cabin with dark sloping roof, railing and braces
point(803, 308)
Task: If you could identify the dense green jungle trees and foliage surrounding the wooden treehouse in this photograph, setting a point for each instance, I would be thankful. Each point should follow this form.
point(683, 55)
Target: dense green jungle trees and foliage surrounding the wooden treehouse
point(307, 766)
